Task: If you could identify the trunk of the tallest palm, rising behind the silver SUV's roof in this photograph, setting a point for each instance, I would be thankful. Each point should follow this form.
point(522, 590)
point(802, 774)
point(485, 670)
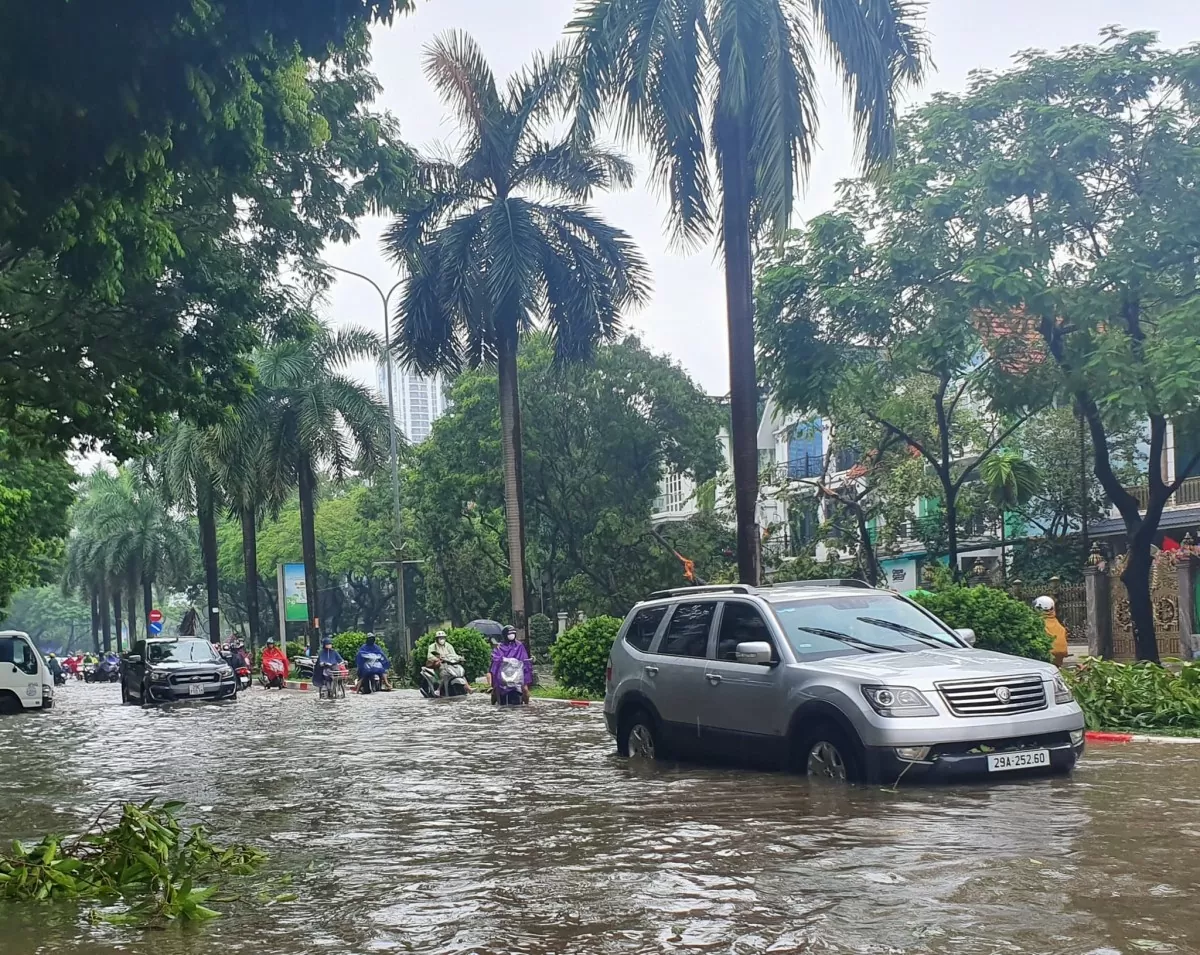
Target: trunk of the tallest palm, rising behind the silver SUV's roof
point(736, 188)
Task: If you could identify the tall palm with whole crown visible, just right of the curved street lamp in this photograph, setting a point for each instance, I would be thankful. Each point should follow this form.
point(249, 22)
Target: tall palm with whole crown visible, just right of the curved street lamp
point(500, 239)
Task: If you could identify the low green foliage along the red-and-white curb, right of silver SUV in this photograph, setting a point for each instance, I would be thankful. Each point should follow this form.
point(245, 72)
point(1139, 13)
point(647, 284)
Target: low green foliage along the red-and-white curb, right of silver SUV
point(1137, 696)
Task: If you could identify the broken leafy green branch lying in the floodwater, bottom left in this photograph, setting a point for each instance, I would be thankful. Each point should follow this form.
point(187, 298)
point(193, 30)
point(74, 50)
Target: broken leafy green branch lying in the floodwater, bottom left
point(148, 861)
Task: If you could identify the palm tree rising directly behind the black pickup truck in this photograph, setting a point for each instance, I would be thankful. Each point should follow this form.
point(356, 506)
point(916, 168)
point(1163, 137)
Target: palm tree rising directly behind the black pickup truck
point(185, 472)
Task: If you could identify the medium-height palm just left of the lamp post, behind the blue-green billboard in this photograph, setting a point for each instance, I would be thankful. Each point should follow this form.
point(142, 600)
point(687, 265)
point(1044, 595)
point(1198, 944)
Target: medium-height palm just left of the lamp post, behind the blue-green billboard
point(317, 418)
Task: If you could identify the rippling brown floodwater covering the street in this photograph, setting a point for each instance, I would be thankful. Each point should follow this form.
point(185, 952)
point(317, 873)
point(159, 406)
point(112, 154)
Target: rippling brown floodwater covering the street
point(410, 826)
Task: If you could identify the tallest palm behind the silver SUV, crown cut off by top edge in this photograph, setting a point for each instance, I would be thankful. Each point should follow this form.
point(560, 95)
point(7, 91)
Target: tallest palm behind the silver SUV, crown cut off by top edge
point(730, 83)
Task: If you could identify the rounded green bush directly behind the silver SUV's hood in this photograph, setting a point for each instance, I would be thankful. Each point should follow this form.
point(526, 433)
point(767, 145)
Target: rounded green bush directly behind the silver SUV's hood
point(1001, 623)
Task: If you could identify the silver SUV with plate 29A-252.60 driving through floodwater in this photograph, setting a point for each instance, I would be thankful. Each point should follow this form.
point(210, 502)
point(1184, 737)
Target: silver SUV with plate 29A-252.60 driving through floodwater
point(831, 678)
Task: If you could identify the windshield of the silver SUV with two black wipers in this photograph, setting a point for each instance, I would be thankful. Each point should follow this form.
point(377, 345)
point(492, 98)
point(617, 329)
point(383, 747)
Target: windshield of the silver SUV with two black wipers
point(860, 623)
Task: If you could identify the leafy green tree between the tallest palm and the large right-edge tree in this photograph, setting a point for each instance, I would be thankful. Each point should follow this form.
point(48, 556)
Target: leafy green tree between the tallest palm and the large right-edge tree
point(865, 317)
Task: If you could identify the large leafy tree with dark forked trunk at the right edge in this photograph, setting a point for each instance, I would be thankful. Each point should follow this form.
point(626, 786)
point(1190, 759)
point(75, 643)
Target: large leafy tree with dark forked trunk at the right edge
point(1073, 177)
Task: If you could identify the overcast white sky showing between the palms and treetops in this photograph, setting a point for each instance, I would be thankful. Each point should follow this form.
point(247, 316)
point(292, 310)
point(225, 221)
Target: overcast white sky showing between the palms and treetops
point(686, 317)
